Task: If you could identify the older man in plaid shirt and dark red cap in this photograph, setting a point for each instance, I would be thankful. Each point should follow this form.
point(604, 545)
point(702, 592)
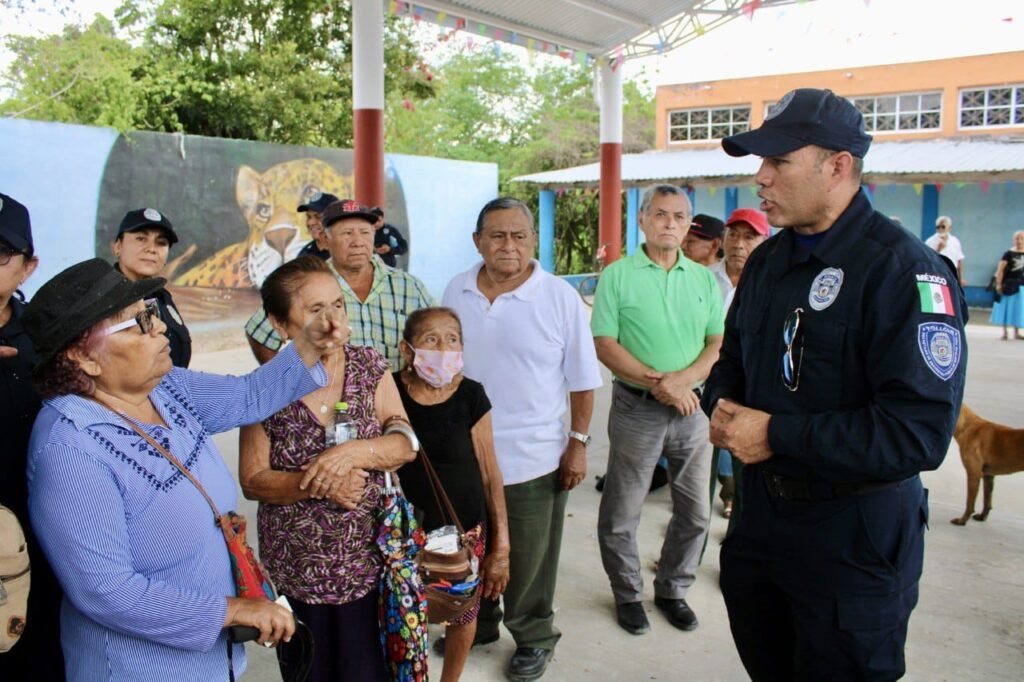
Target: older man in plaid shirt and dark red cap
point(378, 299)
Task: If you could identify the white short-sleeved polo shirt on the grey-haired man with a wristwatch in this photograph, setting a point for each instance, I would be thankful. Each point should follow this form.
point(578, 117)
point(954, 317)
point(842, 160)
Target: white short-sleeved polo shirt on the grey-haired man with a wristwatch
point(529, 350)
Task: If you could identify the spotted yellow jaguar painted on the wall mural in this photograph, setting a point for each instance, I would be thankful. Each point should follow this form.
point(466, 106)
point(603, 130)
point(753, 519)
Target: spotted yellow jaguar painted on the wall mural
point(277, 231)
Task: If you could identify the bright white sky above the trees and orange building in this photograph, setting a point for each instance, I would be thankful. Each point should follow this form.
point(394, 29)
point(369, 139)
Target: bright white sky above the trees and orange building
point(819, 34)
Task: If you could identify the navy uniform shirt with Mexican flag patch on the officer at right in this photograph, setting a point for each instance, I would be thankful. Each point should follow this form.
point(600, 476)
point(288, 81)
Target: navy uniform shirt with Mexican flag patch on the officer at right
point(884, 355)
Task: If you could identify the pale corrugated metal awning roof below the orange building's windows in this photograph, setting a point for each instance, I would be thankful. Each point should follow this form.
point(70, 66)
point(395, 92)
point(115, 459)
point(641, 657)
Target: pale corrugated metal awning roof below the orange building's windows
point(966, 159)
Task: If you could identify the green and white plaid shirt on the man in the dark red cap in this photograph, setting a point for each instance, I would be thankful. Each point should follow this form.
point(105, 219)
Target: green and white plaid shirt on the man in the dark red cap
point(378, 322)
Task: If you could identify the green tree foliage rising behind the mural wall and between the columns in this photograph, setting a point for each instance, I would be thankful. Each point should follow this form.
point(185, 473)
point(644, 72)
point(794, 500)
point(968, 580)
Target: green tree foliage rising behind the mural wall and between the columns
point(280, 71)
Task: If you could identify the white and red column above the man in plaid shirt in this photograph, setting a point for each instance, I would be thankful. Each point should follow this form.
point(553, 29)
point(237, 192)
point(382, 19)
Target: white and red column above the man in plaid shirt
point(368, 101)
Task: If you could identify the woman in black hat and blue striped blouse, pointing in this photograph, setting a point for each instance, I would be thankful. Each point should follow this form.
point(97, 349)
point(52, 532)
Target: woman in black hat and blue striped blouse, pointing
point(147, 576)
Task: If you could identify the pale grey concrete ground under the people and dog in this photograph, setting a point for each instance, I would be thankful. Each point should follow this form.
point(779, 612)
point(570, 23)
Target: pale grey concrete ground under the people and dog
point(969, 624)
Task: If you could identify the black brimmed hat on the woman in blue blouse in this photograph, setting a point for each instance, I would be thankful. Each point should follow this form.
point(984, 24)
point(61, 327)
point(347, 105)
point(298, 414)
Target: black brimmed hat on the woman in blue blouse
point(78, 299)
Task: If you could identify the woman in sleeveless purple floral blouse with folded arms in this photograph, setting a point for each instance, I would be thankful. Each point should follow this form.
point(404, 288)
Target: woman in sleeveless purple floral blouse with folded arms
point(318, 526)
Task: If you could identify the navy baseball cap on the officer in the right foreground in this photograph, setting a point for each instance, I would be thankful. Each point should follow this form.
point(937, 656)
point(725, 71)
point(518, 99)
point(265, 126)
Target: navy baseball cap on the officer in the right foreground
point(802, 117)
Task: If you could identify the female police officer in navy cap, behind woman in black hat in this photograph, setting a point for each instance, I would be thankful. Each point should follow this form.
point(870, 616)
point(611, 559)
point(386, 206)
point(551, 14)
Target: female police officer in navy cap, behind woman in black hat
point(144, 240)
